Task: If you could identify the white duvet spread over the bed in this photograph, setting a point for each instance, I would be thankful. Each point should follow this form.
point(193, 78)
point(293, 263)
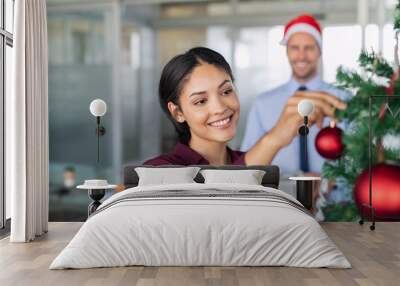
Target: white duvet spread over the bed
point(189, 230)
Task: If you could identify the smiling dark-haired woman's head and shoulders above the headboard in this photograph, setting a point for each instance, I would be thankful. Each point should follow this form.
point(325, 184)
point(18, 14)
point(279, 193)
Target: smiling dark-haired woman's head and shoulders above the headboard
point(197, 93)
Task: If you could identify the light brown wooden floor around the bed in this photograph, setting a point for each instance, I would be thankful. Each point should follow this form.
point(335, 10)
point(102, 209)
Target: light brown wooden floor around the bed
point(374, 255)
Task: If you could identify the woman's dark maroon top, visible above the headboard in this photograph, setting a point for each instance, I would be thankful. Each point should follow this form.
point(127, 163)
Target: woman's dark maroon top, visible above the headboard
point(184, 155)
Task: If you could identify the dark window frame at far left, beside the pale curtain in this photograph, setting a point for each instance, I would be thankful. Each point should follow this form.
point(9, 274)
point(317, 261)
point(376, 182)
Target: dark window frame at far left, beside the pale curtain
point(6, 39)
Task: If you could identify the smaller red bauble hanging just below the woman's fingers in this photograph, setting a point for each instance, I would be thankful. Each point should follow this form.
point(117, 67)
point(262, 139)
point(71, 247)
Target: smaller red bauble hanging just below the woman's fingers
point(329, 142)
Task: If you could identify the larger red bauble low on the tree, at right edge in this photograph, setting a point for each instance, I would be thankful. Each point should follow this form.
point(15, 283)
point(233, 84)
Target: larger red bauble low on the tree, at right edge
point(385, 190)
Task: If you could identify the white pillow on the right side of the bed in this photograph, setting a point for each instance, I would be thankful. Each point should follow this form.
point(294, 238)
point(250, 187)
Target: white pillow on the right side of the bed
point(248, 177)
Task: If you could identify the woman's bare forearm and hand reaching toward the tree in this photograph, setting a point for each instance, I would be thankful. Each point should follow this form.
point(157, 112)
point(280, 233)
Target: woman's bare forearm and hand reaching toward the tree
point(286, 129)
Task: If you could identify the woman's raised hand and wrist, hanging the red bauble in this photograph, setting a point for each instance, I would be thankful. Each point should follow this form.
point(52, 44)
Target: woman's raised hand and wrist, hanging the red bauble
point(290, 120)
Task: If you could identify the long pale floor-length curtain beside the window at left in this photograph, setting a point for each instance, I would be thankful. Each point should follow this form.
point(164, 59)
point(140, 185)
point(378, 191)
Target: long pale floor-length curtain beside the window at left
point(27, 123)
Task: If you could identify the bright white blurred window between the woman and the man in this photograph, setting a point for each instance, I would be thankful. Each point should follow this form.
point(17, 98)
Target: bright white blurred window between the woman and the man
point(260, 64)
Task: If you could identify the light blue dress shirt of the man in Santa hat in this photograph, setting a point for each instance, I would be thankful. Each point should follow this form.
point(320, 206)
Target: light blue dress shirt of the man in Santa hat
point(265, 113)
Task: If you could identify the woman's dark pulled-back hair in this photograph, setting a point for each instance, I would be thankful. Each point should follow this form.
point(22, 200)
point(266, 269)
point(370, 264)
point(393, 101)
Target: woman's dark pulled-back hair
point(176, 72)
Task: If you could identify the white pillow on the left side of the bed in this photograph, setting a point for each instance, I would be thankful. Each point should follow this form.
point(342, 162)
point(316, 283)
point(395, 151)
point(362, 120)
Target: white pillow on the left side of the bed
point(163, 176)
